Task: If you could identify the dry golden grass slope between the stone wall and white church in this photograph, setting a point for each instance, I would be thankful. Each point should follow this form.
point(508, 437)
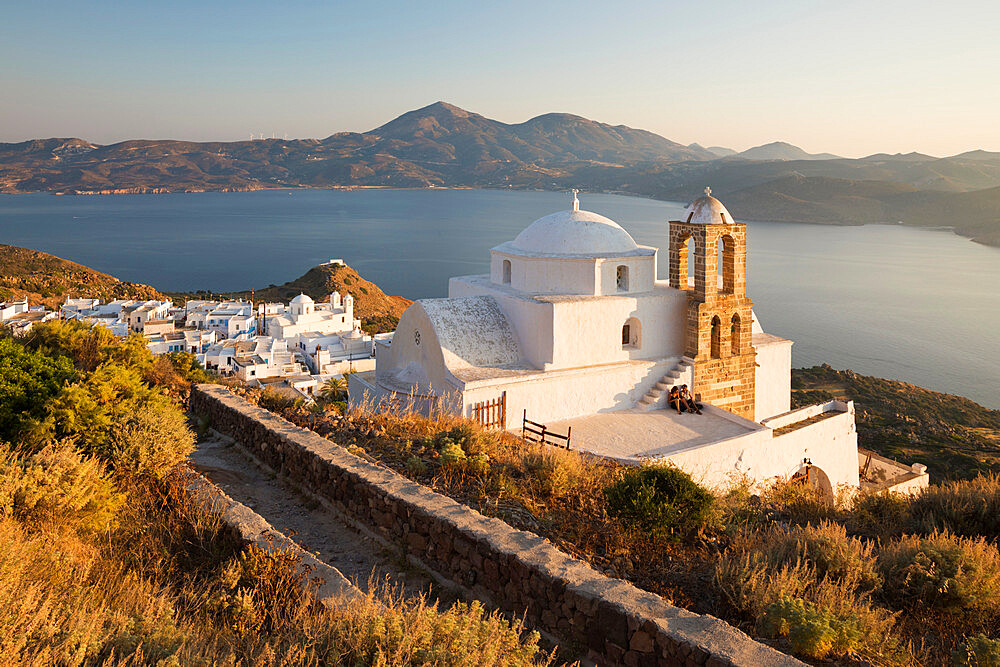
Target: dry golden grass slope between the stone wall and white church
point(787, 561)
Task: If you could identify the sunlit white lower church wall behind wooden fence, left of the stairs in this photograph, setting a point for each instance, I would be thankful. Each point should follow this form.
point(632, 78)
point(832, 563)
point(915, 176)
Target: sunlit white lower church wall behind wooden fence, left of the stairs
point(572, 393)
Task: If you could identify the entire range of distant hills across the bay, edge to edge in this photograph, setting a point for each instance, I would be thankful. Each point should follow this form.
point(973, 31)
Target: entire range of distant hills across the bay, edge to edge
point(441, 145)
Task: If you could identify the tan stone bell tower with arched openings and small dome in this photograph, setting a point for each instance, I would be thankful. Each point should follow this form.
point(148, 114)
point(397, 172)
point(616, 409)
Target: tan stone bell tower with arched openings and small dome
point(719, 333)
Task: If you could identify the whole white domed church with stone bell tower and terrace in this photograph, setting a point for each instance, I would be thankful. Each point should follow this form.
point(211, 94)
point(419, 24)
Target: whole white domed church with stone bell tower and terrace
point(571, 328)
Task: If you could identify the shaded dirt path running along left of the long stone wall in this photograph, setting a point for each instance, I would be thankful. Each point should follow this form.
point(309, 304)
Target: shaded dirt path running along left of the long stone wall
point(315, 528)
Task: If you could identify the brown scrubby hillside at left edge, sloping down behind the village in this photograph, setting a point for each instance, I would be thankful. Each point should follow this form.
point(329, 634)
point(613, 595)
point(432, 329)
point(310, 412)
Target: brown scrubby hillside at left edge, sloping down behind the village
point(49, 280)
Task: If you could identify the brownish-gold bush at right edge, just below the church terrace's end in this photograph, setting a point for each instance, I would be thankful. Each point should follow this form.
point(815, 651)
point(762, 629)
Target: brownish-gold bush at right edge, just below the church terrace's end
point(966, 507)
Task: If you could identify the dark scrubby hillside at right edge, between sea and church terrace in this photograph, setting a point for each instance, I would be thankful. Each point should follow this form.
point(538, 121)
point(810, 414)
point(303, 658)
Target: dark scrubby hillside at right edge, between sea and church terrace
point(955, 437)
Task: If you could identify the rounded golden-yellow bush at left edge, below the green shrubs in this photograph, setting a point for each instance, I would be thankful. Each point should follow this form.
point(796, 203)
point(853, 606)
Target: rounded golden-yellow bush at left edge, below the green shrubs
point(56, 484)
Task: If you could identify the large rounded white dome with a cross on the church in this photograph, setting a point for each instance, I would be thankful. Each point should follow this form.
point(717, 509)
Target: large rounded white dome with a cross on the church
point(574, 232)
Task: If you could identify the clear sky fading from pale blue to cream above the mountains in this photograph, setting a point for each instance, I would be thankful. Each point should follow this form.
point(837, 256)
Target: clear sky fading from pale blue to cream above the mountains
point(847, 77)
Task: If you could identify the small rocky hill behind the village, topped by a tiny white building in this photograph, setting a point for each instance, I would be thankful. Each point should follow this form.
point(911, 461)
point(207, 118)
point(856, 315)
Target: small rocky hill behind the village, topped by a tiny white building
point(377, 311)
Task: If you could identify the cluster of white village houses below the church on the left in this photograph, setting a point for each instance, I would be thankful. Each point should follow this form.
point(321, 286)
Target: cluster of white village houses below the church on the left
point(290, 348)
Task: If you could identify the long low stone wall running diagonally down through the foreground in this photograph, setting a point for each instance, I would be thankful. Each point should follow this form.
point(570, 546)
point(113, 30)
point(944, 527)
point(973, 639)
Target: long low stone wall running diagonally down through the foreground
point(514, 570)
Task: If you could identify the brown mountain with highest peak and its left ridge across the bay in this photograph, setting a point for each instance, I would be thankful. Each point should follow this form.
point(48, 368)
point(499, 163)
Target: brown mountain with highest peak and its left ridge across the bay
point(436, 145)
